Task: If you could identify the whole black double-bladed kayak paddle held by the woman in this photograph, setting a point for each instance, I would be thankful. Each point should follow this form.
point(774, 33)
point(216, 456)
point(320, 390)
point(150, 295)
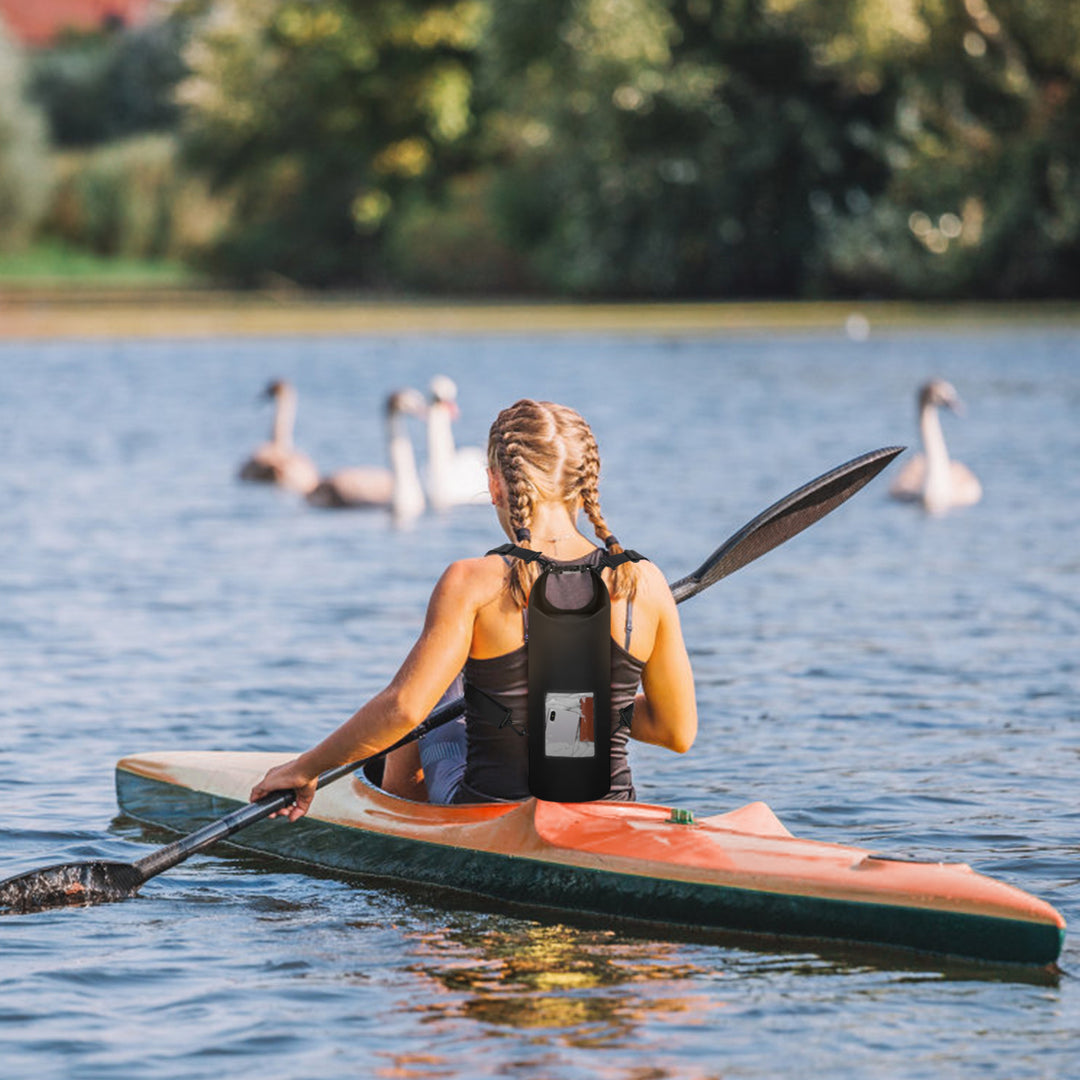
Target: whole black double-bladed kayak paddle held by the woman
point(99, 882)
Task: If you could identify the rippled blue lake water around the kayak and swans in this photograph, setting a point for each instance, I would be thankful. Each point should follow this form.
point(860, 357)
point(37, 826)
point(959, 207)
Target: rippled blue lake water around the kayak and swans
point(885, 679)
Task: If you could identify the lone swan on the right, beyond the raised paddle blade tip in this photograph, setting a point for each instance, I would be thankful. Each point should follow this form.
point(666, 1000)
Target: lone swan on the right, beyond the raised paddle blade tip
point(931, 478)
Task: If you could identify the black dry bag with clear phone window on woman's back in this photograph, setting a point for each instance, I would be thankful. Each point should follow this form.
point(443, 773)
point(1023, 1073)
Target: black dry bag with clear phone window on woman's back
point(570, 663)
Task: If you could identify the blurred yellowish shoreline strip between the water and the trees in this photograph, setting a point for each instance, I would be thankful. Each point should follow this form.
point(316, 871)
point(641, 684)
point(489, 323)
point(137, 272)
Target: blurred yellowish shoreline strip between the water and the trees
point(92, 313)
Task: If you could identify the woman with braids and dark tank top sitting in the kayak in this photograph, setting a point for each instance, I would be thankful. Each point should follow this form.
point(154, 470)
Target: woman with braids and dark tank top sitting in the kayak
point(544, 468)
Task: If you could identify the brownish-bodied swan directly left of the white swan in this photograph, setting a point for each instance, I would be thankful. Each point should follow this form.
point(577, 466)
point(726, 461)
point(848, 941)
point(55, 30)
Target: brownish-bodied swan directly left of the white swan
point(397, 489)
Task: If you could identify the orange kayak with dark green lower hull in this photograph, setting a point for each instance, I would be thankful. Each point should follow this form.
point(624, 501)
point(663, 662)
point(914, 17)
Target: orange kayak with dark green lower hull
point(737, 872)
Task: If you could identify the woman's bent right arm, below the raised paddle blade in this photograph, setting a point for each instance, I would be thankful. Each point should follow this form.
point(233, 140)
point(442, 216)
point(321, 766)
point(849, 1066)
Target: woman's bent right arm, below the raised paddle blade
point(667, 713)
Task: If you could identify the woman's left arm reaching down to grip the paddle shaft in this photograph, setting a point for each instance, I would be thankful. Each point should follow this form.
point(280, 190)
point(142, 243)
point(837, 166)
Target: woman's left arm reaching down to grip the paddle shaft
point(434, 663)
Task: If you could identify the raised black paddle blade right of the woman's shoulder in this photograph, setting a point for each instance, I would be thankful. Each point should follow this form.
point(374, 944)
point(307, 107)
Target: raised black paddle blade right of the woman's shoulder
point(786, 519)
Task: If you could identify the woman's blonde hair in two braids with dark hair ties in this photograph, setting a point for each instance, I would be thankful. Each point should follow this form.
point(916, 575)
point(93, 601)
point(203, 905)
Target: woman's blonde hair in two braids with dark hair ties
point(548, 452)
